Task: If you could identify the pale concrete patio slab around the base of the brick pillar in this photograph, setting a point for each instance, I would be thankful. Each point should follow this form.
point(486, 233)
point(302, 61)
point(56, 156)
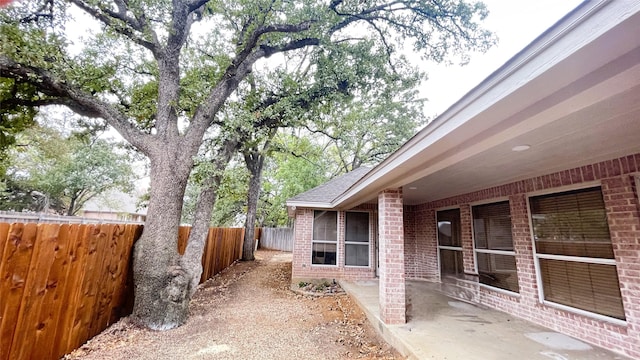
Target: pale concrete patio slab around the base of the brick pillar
point(440, 327)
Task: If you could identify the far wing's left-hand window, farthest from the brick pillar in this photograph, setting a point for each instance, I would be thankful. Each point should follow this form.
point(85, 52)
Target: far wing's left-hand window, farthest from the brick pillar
point(325, 237)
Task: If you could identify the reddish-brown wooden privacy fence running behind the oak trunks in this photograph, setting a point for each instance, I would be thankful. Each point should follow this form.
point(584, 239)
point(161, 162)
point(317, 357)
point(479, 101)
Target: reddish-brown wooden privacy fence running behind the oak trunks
point(61, 284)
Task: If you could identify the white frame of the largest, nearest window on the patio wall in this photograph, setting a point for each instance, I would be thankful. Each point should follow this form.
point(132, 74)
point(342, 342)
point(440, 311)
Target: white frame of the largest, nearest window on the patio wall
point(588, 260)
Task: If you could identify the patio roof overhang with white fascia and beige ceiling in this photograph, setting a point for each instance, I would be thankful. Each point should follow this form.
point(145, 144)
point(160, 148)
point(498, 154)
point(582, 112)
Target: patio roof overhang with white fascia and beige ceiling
point(573, 96)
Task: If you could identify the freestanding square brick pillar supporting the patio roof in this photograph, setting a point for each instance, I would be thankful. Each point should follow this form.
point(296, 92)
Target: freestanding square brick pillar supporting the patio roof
point(392, 273)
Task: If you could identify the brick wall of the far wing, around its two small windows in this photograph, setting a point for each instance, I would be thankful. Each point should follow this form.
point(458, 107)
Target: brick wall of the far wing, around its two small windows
point(303, 270)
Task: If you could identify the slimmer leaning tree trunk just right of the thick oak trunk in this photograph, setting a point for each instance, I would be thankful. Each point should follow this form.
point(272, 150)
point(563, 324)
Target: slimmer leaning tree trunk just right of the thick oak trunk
point(192, 258)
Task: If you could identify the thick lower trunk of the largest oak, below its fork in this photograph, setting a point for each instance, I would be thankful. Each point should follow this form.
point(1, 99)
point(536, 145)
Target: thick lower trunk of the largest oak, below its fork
point(161, 283)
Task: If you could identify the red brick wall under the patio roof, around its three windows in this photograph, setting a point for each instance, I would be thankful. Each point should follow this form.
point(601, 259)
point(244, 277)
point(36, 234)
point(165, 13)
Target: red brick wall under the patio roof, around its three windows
point(621, 202)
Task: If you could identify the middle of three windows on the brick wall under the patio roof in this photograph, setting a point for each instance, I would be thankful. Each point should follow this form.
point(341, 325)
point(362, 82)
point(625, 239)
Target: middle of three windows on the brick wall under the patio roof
point(495, 257)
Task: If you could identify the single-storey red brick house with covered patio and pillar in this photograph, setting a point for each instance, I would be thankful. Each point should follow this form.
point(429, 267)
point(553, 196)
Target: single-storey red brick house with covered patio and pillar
point(522, 196)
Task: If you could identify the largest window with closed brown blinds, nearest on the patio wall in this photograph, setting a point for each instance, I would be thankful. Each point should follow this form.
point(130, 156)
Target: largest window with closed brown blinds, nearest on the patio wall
point(574, 252)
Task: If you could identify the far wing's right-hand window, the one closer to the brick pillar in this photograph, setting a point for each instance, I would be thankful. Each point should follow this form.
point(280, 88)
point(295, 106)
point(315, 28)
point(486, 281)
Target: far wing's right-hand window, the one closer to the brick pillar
point(356, 239)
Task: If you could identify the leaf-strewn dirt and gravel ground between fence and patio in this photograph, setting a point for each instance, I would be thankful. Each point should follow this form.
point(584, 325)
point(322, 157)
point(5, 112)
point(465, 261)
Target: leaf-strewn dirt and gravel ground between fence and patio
point(249, 312)
